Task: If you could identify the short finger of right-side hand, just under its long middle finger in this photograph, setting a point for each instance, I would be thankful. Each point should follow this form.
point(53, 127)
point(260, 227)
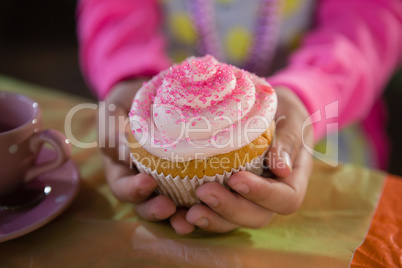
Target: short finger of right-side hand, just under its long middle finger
point(206, 219)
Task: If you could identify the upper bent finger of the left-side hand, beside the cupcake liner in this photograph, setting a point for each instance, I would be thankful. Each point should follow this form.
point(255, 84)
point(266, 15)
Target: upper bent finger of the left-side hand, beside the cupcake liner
point(125, 184)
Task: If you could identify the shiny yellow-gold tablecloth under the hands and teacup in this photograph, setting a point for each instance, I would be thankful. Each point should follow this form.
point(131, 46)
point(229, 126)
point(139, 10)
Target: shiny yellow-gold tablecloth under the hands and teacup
point(99, 231)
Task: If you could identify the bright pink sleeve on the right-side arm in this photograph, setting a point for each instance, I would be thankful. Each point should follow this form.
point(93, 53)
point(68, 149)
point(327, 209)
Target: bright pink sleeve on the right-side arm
point(348, 57)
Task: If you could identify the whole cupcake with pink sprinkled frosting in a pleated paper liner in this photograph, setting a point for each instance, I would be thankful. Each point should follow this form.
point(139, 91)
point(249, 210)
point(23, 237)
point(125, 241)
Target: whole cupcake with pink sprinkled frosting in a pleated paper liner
point(200, 121)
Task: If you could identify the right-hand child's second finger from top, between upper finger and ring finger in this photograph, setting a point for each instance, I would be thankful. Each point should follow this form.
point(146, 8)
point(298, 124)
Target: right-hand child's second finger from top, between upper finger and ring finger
point(222, 201)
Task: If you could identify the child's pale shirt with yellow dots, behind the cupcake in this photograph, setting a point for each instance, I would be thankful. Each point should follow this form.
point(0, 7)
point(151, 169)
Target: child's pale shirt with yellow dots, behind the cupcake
point(236, 25)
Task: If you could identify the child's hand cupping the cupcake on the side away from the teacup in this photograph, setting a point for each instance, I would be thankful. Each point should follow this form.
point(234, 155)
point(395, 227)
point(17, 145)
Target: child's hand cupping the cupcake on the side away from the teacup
point(255, 199)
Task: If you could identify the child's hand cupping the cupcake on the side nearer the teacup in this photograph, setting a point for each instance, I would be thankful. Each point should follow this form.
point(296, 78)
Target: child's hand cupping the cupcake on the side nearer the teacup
point(125, 183)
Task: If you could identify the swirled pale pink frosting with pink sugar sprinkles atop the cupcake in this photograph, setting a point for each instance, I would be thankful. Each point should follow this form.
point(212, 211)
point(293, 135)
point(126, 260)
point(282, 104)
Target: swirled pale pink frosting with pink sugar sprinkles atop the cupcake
point(200, 108)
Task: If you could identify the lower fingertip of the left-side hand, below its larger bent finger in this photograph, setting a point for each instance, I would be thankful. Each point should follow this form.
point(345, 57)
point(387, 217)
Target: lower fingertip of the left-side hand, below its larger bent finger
point(156, 209)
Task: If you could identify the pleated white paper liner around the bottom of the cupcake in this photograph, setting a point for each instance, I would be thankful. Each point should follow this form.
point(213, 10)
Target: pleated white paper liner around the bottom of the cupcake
point(182, 191)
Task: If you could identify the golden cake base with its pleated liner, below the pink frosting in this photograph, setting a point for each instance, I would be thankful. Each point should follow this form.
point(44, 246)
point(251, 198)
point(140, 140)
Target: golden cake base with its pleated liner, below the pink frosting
point(180, 180)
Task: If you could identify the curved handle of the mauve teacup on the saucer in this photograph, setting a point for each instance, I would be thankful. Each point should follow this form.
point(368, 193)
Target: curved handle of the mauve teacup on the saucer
point(59, 143)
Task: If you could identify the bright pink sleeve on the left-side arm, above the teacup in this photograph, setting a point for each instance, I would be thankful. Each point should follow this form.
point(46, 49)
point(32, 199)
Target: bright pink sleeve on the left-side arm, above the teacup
point(119, 39)
